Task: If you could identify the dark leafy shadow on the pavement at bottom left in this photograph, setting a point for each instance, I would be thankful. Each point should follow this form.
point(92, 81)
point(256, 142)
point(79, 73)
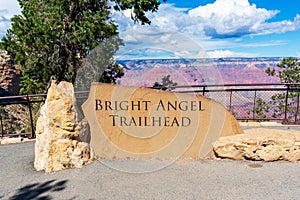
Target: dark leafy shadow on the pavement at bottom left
point(39, 191)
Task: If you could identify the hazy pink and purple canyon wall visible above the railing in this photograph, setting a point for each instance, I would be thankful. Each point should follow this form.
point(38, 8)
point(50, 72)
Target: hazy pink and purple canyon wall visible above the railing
point(144, 73)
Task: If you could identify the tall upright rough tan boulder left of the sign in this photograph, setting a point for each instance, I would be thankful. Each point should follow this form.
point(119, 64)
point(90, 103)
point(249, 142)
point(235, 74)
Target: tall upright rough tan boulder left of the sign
point(57, 143)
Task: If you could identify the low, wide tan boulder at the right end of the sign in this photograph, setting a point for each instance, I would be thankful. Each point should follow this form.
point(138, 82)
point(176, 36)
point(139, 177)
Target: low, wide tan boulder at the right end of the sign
point(260, 144)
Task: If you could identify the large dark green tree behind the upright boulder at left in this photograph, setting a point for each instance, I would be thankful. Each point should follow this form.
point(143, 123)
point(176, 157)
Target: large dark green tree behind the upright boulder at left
point(53, 37)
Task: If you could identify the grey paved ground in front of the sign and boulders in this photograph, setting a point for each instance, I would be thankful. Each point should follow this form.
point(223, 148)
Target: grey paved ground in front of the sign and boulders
point(184, 179)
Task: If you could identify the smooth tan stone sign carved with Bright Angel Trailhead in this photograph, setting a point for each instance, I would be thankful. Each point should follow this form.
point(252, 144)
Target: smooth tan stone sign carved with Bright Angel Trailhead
point(132, 122)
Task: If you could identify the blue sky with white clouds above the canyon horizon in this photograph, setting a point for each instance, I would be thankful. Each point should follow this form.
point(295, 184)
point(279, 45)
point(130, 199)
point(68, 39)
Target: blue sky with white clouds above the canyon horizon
point(204, 28)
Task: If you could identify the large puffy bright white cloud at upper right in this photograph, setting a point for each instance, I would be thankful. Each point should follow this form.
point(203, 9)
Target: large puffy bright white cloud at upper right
point(237, 18)
